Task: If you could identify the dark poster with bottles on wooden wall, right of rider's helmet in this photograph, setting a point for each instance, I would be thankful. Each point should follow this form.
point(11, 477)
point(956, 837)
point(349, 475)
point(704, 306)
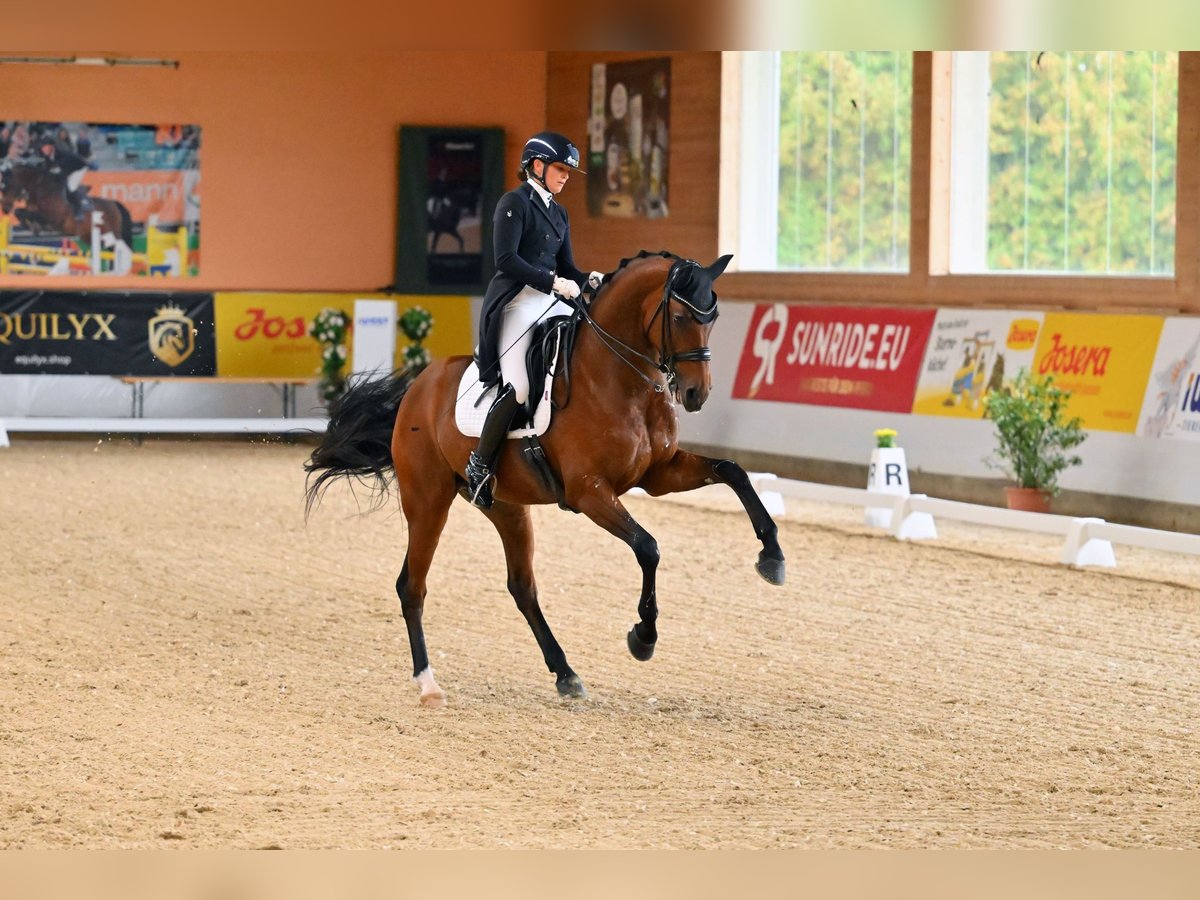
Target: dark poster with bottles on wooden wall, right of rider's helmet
point(629, 143)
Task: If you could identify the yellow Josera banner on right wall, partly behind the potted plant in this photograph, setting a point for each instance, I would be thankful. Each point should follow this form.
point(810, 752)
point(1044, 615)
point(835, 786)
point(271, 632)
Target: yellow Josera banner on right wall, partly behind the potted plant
point(1105, 363)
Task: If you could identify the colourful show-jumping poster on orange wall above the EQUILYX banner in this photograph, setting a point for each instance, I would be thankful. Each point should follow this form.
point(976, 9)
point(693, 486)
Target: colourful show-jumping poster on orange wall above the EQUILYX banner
point(88, 199)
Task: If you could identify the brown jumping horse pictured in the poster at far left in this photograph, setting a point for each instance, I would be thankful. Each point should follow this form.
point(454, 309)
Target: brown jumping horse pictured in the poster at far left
point(47, 207)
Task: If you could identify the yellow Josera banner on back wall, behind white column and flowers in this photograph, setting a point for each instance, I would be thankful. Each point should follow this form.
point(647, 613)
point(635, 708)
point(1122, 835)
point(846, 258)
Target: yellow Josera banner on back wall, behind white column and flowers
point(266, 335)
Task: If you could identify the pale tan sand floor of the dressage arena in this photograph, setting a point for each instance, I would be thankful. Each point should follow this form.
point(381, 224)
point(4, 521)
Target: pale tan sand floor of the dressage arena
point(187, 664)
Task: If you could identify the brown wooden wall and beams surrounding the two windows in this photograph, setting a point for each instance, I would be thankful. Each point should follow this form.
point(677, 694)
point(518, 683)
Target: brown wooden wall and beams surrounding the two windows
point(692, 229)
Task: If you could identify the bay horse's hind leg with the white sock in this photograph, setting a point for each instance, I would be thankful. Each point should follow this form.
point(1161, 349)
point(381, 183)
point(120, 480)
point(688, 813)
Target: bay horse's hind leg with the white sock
point(427, 507)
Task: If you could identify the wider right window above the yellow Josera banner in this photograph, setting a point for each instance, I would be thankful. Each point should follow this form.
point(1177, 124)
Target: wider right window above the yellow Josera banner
point(1064, 163)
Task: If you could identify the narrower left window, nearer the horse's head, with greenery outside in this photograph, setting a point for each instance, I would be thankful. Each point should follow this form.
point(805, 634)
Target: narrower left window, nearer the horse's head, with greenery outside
point(826, 160)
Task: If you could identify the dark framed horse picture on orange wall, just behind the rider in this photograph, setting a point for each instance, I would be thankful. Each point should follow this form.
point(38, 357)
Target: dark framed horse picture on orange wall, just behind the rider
point(451, 181)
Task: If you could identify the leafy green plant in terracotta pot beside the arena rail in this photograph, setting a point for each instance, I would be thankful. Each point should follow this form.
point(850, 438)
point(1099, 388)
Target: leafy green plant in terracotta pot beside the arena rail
point(1034, 437)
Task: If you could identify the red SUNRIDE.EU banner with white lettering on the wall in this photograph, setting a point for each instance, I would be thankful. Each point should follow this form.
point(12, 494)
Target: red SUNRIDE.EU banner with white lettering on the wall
point(865, 358)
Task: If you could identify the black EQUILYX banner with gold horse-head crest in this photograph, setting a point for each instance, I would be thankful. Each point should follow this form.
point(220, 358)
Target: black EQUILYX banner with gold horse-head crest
point(65, 333)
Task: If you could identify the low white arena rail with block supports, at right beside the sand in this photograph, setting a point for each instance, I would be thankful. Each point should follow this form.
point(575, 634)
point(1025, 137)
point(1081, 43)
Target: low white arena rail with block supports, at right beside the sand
point(1088, 542)
